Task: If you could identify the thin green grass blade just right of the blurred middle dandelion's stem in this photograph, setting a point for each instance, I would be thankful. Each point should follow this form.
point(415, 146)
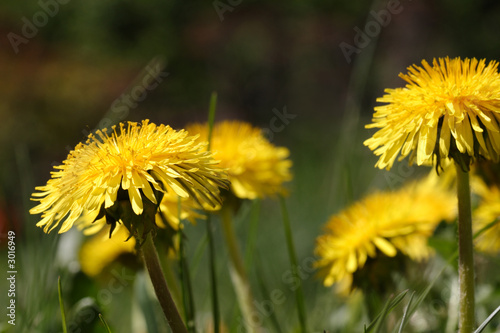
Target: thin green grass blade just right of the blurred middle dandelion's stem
point(299, 294)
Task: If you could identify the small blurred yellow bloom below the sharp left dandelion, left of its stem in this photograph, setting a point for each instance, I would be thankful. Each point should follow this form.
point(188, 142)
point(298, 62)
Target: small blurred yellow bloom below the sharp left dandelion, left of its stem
point(101, 250)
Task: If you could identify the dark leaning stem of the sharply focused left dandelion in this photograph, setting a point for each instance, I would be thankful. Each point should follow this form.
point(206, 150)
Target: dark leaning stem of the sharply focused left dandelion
point(152, 263)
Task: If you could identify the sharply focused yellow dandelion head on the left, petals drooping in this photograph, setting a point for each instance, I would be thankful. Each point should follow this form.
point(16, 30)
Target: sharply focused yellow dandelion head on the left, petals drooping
point(134, 165)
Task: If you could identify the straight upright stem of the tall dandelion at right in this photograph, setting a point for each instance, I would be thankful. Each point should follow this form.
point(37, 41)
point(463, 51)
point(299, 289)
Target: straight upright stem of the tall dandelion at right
point(465, 253)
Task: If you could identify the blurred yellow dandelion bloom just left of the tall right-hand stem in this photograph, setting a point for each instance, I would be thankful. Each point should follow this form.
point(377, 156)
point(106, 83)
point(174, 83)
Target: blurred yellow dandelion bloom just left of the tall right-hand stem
point(383, 224)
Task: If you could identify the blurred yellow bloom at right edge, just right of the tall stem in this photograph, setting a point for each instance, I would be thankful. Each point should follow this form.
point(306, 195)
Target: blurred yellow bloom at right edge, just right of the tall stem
point(487, 212)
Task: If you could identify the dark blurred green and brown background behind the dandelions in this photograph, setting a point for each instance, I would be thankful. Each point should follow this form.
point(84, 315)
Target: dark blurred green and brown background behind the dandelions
point(260, 57)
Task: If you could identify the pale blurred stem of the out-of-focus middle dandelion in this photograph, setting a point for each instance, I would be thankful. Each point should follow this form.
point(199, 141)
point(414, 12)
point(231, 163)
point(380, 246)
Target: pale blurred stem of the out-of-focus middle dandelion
point(237, 269)
